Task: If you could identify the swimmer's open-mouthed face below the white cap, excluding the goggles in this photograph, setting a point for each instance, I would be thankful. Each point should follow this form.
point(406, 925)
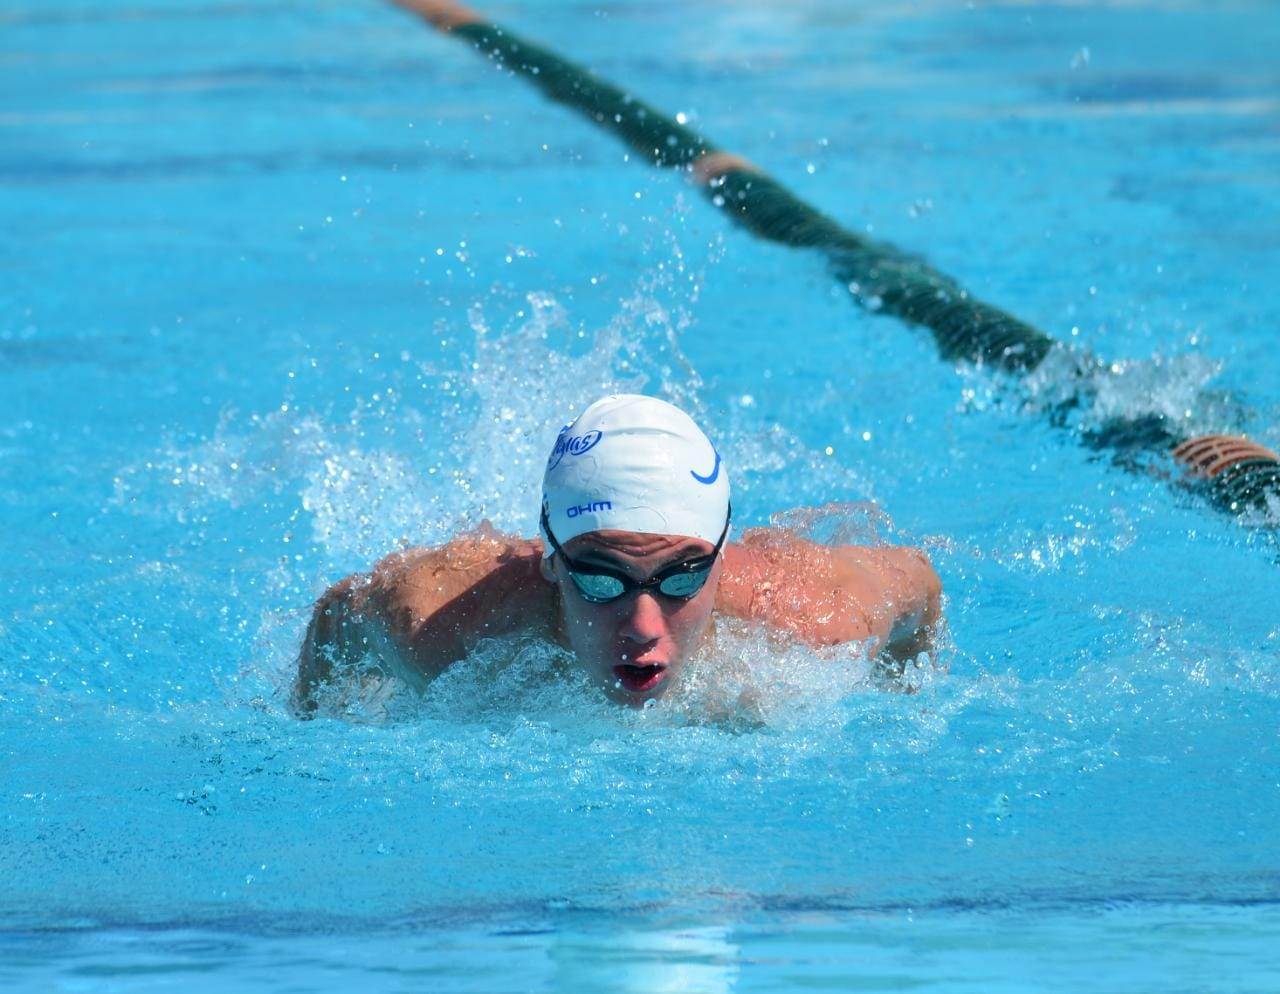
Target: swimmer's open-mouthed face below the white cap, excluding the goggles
point(634, 647)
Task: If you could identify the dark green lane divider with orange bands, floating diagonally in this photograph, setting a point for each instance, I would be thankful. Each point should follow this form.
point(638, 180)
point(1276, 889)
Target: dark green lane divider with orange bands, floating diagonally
point(1235, 474)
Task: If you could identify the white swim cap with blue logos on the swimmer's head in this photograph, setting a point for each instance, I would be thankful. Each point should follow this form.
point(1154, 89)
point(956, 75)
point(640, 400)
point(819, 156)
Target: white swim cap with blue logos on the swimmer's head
point(636, 464)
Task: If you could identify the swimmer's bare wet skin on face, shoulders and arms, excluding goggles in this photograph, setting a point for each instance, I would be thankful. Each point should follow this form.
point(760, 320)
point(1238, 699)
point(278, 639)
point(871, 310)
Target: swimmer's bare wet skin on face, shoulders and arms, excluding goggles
point(423, 610)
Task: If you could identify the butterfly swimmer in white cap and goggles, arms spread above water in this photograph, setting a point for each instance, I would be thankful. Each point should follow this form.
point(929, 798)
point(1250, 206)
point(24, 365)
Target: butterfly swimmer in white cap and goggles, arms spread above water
point(633, 562)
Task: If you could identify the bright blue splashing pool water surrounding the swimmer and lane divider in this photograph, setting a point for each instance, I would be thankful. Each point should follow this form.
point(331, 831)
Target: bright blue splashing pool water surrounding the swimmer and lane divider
point(287, 285)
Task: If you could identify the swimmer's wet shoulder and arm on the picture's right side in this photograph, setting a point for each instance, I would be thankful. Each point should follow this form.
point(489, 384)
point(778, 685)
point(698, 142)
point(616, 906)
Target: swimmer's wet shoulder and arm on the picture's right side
point(888, 597)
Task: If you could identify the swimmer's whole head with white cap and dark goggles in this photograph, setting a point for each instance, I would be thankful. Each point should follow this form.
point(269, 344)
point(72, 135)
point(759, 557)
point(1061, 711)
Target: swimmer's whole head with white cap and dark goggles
point(636, 511)
